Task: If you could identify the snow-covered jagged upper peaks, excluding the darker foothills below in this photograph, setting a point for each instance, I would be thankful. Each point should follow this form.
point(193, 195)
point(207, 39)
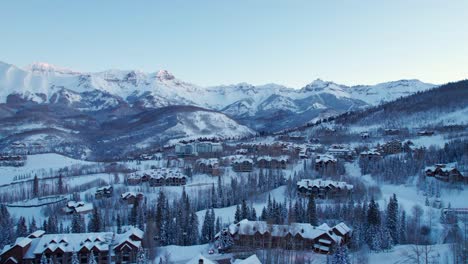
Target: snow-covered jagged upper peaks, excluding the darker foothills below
point(254, 106)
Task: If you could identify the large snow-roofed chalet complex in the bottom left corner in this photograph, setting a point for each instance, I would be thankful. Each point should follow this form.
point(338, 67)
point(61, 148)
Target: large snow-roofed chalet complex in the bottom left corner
point(107, 247)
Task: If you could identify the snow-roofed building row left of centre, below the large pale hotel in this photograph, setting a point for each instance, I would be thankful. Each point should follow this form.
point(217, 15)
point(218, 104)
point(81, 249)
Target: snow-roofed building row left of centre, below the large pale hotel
point(158, 177)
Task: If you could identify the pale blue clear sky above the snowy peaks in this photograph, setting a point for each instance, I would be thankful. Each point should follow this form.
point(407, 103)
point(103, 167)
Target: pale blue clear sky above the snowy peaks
point(224, 42)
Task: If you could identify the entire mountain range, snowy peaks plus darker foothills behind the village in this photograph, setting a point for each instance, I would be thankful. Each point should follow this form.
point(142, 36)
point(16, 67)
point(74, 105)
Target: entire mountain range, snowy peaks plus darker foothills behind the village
point(109, 106)
